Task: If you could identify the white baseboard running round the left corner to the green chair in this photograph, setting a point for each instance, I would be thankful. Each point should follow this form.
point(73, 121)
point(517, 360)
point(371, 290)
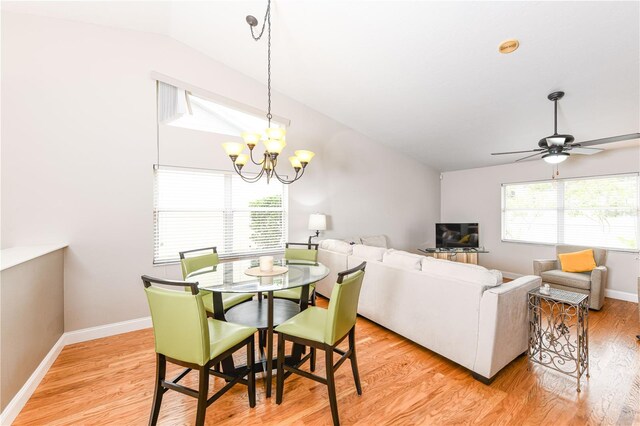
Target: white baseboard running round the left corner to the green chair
point(18, 402)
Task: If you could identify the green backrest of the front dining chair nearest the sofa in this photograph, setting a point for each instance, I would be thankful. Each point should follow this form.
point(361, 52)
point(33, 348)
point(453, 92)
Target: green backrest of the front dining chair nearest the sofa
point(343, 306)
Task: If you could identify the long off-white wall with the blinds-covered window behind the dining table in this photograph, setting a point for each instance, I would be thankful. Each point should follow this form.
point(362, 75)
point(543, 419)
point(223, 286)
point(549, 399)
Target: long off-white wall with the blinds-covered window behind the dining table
point(79, 142)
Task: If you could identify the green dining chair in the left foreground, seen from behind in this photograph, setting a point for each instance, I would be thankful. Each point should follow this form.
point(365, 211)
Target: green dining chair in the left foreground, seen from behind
point(185, 336)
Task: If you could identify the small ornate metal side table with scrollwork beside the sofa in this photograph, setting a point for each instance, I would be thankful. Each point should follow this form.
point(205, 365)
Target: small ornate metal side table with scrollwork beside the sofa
point(559, 331)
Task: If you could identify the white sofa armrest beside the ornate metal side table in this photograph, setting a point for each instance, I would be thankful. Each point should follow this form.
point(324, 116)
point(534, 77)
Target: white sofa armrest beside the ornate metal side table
point(502, 325)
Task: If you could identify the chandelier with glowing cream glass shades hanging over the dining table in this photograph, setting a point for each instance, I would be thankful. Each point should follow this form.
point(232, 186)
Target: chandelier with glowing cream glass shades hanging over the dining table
point(273, 138)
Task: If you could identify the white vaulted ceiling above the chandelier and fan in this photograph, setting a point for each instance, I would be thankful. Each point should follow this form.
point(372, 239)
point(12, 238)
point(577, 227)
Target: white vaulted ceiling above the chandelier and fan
point(425, 78)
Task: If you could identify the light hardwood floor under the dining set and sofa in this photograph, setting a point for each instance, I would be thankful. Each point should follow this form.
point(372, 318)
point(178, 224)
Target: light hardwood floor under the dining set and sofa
point(110, 381)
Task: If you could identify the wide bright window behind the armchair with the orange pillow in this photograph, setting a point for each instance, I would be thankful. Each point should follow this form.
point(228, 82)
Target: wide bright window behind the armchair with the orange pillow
point(595, 211)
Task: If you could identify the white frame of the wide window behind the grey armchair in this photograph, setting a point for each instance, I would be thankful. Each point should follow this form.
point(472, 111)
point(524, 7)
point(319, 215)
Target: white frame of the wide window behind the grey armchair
point(560, 208)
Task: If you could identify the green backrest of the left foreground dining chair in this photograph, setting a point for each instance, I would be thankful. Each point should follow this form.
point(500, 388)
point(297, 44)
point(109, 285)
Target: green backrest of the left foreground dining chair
point(179, 321)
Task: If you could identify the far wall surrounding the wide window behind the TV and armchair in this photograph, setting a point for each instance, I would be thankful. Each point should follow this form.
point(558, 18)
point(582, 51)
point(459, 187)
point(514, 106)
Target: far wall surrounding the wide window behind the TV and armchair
point(475, 195)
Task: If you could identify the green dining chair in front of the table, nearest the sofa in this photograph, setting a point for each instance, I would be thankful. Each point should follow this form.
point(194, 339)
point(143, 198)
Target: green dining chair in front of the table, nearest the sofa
point(324, 329)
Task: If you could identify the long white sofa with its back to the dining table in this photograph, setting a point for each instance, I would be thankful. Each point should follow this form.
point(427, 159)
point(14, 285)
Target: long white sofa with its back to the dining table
point(463, 312)
